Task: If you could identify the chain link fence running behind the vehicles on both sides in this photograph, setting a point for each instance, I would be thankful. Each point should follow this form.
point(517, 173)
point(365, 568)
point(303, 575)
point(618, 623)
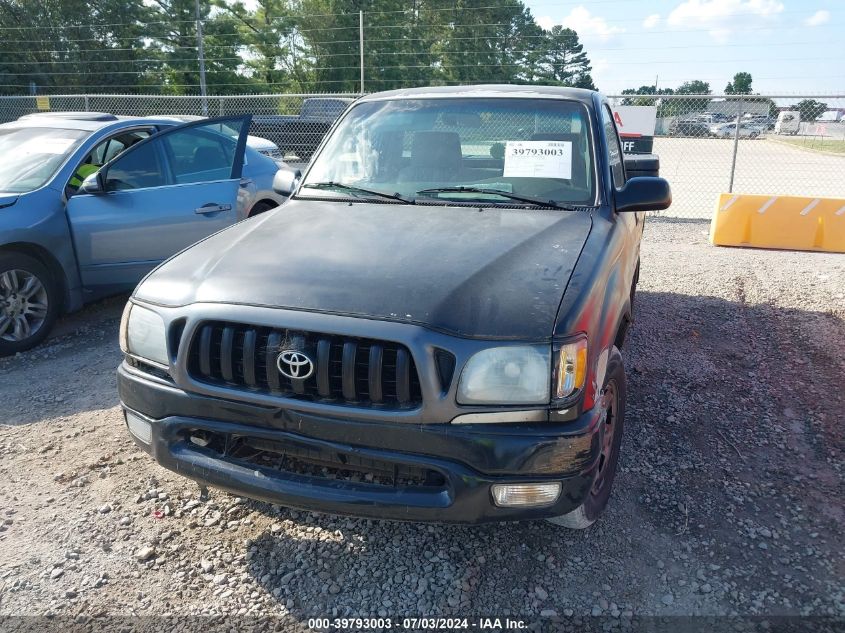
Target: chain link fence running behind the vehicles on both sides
point(707, 144)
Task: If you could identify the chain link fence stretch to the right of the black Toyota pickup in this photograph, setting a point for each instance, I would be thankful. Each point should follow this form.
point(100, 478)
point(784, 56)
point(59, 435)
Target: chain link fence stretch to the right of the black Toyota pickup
point(778, 145)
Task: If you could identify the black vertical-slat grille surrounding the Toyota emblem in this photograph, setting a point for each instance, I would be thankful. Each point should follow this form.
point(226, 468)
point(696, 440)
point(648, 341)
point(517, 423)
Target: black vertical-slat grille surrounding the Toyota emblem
point(347, 370)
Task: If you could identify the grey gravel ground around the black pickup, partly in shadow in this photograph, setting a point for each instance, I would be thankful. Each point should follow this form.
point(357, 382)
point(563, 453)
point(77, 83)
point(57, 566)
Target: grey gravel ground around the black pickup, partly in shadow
point(729, 500)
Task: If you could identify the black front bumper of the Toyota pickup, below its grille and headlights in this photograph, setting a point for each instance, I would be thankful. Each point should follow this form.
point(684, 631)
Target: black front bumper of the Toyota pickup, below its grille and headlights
point(468, 459)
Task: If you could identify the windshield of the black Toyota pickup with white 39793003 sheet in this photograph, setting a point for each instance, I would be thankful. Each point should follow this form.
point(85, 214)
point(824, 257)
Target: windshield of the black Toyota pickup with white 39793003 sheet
point(459, 150)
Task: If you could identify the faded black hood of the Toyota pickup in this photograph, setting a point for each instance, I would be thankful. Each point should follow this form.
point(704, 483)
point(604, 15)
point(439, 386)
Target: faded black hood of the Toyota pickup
point(491, 273)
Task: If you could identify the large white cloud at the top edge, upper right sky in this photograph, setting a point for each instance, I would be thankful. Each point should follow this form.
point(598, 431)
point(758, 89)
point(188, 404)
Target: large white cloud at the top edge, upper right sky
point(722, 17)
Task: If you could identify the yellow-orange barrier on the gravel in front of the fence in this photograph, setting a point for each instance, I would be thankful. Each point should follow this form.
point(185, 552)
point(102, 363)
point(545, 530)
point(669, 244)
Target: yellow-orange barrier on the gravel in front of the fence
point(788, 222)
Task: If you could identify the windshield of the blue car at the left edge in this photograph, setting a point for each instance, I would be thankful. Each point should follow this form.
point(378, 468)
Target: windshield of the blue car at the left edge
point(30, 156)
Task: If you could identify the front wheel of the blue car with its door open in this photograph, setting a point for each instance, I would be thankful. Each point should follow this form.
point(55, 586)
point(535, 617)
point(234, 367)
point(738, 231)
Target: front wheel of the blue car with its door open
point(29, 303)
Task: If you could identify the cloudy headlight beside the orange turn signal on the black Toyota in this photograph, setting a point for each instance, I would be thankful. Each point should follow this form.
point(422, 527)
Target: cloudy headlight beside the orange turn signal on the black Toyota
point(507, 375)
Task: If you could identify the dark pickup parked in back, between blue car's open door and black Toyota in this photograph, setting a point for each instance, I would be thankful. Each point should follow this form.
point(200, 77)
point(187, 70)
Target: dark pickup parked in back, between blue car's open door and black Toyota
point(300, 135)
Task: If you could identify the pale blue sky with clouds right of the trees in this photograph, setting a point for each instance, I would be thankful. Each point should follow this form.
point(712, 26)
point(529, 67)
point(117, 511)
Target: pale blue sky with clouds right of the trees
point(788, 46)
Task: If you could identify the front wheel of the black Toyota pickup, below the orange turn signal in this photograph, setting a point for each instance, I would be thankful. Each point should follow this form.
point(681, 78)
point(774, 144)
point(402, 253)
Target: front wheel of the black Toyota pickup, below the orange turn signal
point(612, 403)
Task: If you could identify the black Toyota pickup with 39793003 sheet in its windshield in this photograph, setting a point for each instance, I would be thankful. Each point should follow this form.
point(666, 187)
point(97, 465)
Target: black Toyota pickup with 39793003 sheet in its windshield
point(429, 329)
